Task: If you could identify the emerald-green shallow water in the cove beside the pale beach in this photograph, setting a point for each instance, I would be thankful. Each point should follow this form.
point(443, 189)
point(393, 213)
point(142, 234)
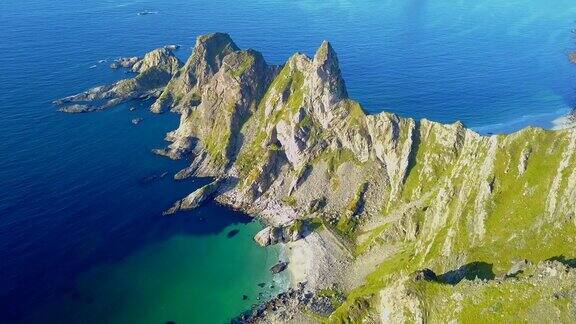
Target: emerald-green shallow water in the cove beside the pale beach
point(185, 279)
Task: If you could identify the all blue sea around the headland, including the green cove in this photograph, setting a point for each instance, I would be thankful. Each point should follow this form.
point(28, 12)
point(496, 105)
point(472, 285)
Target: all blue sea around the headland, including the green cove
point(82, 239)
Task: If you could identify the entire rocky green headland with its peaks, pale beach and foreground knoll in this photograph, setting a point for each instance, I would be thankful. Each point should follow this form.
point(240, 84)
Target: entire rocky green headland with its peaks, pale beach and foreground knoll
point(382, 218)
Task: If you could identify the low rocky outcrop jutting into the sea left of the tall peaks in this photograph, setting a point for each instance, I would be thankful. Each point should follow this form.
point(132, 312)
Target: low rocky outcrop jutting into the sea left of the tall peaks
point(154, 71)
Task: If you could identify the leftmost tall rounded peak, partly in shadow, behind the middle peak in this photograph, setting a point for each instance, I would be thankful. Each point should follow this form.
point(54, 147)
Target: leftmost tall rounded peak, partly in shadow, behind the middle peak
point(185, 89)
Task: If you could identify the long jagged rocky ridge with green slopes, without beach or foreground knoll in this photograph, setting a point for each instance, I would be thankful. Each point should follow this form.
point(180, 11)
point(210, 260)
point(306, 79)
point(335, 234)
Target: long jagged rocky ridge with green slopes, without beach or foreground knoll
point(288, 143)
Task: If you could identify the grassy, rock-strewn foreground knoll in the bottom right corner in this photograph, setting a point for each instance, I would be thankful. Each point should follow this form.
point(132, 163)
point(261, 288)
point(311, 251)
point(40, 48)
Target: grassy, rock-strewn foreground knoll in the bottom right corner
point(539, 294)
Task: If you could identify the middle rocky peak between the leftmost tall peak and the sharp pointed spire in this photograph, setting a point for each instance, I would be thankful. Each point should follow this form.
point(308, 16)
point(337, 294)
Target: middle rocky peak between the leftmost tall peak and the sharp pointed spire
point(212, 129)
